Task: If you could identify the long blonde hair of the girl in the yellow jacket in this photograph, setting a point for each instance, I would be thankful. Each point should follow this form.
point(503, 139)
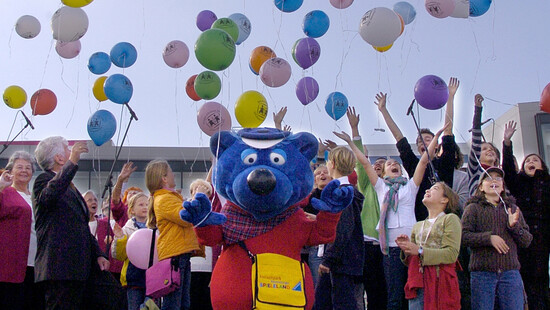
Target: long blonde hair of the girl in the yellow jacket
point(154, 172)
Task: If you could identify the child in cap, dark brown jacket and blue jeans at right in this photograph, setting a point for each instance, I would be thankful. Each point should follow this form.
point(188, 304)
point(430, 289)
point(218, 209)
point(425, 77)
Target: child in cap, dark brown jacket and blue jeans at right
point(493, 227)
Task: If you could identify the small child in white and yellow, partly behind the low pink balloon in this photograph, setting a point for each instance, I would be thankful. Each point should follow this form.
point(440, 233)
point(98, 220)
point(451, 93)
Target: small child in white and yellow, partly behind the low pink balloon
point(131, 276)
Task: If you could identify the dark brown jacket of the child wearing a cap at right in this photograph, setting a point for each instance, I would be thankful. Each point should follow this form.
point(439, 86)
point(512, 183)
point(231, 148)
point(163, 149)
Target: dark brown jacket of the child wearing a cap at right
point(481, 220)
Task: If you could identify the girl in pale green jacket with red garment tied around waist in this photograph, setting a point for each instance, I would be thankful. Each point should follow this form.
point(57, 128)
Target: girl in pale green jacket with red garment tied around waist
point(432, 251)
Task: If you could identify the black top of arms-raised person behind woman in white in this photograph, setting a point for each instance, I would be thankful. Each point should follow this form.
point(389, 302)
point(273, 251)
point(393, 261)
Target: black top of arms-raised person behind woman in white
point(444, 167)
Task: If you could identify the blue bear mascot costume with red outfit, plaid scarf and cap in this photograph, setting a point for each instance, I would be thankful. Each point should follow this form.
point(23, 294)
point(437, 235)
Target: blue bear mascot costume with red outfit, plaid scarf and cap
point(263, 173)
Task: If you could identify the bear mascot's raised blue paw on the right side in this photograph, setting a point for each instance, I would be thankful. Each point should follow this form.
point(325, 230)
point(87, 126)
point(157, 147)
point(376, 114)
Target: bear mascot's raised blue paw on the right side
point(333, 197)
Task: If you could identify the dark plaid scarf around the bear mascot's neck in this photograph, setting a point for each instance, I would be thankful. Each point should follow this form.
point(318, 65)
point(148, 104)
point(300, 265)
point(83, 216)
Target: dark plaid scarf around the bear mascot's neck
point(241, 225)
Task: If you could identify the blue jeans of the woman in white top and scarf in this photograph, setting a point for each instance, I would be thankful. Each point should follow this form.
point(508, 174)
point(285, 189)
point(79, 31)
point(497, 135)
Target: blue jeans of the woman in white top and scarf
point(395, 273)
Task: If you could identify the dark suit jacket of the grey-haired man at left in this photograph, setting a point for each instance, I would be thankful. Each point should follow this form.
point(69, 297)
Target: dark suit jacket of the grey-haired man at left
point(66, 248)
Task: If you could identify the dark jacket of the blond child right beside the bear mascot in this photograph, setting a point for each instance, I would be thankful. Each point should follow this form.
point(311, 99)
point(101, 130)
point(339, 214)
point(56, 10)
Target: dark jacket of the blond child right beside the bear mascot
point(346, 254)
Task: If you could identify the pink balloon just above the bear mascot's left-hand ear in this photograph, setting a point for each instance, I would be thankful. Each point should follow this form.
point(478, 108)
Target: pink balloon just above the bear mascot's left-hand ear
point(213, 117)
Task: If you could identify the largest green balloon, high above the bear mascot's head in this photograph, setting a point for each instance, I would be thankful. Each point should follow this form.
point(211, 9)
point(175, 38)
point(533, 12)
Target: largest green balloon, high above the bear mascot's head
point(215, 49)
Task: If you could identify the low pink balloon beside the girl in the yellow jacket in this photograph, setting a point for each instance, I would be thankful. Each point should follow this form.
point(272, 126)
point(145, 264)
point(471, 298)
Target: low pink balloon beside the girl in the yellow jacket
point(139, 246)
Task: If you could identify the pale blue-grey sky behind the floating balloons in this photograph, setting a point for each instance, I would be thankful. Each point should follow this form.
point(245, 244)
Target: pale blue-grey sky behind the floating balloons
point(503, 55)
